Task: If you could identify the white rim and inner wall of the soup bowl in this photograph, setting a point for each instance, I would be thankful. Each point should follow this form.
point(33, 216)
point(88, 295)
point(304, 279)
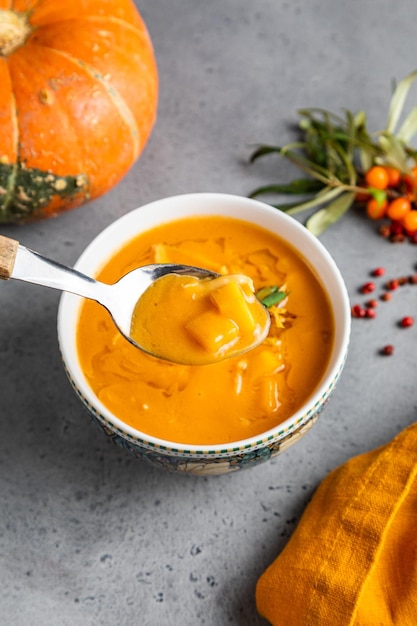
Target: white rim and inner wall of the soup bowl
point(110, 240)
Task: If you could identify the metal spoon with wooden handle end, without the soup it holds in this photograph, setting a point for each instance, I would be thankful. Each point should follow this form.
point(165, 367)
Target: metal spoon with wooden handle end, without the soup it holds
point(119, 299)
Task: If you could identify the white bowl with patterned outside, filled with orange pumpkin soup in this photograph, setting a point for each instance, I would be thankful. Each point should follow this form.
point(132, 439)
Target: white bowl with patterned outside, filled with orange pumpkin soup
point(236, 412)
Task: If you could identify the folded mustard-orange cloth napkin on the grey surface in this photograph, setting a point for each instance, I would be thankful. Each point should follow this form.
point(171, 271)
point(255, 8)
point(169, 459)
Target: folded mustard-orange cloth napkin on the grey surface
point(352, 559)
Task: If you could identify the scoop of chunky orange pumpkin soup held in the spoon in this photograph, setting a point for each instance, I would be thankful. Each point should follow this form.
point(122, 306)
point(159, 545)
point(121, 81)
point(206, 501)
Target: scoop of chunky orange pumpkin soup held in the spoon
point(198, 321)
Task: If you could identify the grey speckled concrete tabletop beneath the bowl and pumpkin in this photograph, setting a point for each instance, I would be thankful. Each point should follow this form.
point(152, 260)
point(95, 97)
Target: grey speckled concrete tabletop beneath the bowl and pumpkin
point(90, 536)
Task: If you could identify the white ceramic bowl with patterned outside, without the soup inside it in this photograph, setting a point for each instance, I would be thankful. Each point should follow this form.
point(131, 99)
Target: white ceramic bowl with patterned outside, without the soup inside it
point(207, 459)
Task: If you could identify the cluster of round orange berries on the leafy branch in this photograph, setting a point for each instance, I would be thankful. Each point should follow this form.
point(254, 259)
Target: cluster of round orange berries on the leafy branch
point(391, 195)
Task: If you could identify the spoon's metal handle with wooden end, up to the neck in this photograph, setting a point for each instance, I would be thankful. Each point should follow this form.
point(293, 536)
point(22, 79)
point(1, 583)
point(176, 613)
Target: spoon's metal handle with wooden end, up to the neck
point(21, 263)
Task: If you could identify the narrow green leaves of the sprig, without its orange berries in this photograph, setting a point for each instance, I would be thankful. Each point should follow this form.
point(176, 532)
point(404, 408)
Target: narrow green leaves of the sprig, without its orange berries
point(336, 152)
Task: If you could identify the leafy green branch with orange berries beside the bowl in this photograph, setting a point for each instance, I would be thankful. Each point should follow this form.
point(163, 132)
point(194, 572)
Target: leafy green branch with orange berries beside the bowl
point(344, 164)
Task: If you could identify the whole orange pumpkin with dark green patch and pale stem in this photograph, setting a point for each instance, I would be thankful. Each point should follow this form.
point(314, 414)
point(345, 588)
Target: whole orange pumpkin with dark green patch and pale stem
point(78, 99)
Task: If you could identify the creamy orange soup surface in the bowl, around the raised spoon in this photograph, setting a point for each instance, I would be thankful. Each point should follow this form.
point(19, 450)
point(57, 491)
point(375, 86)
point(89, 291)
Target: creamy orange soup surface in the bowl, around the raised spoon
point(232, 399)
